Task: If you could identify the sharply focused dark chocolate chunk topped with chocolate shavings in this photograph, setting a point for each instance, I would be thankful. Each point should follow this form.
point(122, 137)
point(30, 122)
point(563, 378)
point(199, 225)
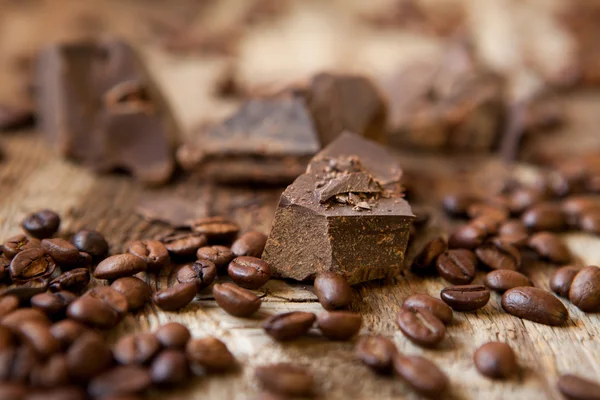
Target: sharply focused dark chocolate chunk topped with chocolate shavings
point(358, 229)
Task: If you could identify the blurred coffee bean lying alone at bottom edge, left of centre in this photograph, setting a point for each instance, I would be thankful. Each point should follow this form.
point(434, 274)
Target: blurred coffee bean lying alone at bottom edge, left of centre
point(285, 379)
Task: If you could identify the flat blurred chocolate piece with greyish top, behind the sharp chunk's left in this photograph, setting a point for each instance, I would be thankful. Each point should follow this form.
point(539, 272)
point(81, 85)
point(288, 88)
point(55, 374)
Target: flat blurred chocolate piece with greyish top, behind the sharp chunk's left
point(266, 141)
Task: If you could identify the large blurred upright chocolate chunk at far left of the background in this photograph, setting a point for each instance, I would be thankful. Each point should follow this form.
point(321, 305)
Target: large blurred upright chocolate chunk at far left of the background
point(98, 106)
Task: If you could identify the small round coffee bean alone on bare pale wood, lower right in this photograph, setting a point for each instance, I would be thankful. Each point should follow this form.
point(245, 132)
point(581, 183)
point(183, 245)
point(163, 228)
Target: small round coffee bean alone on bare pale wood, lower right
point(496, 360)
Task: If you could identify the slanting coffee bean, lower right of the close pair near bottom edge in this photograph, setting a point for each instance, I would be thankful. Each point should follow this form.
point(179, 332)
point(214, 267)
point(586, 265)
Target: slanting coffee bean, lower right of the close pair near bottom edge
point(422, 375)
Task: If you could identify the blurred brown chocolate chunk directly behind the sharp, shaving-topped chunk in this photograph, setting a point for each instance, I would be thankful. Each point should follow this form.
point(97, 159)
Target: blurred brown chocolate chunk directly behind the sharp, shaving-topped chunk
point(346, 102)
